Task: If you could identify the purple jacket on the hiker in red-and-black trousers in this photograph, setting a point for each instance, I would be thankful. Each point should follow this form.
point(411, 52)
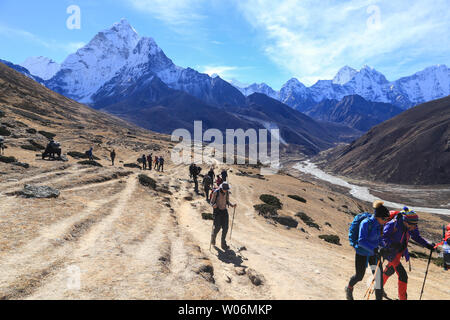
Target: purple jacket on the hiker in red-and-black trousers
point(395, 233)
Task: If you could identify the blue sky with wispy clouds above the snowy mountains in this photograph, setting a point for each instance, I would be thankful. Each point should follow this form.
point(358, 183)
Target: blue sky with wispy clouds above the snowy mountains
point(249, 40)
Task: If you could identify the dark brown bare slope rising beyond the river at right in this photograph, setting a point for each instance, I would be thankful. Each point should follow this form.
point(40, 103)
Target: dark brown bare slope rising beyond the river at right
point(411, 148)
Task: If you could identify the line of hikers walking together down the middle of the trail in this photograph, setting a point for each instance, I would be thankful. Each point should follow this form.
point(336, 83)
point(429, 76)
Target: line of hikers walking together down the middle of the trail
point(219, 200)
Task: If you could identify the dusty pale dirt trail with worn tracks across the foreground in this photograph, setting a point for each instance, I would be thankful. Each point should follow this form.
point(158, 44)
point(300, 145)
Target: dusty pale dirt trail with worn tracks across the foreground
point(120, 240)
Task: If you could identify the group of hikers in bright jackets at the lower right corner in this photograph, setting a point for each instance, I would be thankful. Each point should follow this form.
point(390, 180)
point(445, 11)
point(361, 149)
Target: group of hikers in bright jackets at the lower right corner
point(384, 235)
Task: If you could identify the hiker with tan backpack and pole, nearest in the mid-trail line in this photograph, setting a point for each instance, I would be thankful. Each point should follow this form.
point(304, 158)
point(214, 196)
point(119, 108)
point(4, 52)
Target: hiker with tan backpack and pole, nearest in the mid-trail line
point(220, 201)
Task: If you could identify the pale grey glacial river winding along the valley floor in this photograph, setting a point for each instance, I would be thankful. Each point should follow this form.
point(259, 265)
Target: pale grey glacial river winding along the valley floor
point(359, 192)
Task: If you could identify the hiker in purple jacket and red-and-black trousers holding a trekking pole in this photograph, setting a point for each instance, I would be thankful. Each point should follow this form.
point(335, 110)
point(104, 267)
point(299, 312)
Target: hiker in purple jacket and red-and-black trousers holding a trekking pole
point(396, 235)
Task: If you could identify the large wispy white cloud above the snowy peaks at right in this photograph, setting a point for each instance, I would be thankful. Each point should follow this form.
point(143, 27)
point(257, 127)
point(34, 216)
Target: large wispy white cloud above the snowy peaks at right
point(313, 39)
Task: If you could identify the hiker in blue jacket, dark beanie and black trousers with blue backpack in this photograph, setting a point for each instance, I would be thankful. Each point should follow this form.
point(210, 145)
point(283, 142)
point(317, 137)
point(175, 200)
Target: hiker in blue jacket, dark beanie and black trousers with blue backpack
point(365, 237)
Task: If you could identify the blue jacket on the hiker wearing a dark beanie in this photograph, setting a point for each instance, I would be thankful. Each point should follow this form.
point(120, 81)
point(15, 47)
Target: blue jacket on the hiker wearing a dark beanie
point(369, 236)
